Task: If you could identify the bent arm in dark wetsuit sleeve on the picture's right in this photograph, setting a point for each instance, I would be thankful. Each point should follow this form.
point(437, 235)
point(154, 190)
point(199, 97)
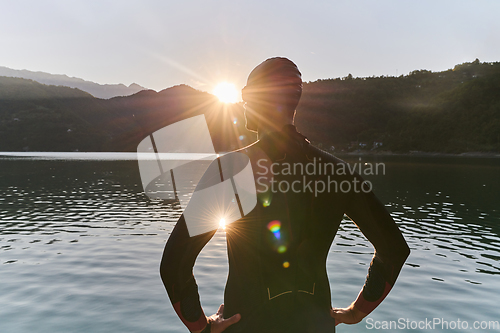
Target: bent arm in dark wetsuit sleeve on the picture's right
point(391, 251)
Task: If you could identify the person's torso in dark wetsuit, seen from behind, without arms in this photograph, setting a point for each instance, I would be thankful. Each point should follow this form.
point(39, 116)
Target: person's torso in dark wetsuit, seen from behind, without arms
point(277, 253)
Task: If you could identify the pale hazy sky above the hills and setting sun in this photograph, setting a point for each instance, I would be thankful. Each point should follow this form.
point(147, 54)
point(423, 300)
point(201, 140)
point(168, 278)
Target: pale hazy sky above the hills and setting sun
point(158, 44)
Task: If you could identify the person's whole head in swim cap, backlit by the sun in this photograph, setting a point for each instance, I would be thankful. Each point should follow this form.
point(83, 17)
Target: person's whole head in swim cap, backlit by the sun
point(272, 93)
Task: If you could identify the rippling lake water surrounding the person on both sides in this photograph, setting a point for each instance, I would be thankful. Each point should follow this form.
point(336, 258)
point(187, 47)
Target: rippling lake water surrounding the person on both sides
point(80, 246)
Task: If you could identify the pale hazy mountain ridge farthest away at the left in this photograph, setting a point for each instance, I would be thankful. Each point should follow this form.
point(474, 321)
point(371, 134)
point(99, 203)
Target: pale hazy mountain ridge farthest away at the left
point(97, 90)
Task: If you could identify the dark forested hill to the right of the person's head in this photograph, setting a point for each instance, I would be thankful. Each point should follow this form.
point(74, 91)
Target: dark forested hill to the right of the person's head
point(452, 111)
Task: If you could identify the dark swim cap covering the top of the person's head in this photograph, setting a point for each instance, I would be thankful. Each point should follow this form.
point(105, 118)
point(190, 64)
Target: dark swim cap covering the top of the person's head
point(276, 79)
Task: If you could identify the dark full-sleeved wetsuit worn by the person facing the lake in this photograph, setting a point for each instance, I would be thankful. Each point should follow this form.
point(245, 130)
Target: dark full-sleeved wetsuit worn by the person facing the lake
point(277, 253)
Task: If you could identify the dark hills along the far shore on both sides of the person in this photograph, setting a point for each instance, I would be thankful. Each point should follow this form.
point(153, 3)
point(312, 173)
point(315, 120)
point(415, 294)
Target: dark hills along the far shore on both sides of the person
point(453, 111)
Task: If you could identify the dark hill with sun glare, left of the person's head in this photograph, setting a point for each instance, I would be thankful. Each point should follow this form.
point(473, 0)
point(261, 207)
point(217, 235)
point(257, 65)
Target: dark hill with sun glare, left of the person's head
point(38, 117)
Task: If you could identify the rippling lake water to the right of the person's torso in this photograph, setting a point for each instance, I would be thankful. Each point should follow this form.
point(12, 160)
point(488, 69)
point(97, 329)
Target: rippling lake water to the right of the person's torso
point(447, 209)
